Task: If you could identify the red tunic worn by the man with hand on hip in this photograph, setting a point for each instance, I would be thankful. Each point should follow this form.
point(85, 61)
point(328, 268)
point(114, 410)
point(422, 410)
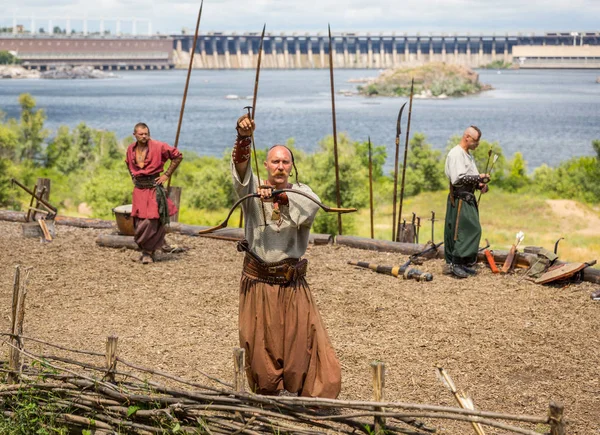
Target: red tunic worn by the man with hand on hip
point(144, 200)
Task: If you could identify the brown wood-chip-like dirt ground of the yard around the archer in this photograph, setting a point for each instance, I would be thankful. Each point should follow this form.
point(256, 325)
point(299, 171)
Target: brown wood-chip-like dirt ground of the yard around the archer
point(513, 345)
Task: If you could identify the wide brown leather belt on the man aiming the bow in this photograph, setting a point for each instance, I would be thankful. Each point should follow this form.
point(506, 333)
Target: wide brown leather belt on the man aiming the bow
point(281, 272)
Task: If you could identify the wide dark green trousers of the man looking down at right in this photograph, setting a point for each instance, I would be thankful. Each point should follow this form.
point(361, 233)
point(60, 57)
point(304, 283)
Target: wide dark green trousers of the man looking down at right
point(462, 232)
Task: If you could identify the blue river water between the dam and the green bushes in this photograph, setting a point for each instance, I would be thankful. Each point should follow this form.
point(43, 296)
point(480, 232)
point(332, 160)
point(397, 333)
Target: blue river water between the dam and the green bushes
point(549, 115)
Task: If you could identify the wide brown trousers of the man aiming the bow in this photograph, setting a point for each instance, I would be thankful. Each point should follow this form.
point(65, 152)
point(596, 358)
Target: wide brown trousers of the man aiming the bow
point(287, 346)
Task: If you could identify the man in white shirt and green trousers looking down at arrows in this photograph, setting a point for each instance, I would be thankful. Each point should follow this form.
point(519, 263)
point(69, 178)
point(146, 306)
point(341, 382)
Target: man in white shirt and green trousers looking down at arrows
point(462, 231)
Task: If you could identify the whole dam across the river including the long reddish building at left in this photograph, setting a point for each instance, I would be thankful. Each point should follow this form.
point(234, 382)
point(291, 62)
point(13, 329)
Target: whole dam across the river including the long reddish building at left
point(301, 51)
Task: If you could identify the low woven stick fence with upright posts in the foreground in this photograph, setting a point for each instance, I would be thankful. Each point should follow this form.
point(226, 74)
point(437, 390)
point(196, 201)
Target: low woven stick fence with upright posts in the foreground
point(107, 394)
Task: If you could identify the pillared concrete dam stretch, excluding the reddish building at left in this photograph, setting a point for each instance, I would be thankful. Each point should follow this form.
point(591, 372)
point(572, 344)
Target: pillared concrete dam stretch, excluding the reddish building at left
point(351, 50)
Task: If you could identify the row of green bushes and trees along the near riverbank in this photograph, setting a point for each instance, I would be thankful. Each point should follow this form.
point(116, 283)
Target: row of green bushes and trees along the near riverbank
point(87, 165)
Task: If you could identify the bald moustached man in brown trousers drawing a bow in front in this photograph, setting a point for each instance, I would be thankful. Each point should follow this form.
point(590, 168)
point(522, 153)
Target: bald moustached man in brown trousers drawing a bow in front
point(287, 345)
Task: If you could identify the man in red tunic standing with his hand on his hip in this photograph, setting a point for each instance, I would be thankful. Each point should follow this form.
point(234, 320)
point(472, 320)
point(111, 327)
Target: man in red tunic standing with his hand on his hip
point(150, 206)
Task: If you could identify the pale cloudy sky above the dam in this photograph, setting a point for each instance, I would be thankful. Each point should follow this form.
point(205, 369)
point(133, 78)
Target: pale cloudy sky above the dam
point(400, 16)
